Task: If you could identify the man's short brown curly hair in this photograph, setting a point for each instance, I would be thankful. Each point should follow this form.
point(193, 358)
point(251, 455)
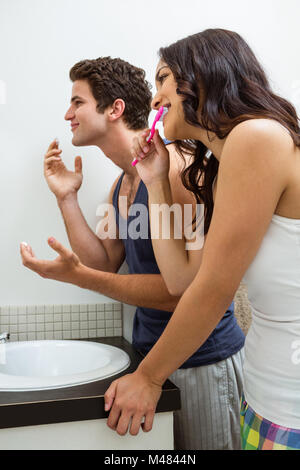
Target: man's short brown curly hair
point(111, 79)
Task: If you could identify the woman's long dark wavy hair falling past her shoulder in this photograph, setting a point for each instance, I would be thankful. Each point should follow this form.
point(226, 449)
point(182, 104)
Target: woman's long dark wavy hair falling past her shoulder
point(217, 70)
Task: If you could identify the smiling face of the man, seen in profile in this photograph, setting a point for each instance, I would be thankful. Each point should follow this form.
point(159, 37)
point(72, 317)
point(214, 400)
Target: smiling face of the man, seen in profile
point(87, 125)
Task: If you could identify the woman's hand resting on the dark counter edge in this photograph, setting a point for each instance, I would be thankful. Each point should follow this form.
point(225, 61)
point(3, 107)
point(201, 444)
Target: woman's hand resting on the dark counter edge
point(132, 398)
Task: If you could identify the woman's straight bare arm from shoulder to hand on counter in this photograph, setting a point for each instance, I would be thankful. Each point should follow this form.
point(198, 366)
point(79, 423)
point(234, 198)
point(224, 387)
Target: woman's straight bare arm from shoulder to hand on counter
point(252, 177)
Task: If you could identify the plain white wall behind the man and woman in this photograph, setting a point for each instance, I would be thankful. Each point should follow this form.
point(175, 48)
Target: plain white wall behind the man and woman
point(40, 41)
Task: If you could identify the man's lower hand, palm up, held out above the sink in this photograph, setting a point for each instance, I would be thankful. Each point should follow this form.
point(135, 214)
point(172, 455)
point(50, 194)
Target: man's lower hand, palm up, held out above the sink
point(66, 267)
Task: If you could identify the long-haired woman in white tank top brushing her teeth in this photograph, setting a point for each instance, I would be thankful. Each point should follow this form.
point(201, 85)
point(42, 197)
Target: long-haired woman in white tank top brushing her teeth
point(220, 100)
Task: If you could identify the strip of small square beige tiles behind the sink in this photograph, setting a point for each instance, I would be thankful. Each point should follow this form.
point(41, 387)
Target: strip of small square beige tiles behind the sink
point(36, 322)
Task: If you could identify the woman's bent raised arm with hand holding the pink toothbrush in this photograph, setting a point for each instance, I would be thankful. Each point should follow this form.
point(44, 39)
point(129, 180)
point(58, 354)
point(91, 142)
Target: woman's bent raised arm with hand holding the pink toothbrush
point(172, 207)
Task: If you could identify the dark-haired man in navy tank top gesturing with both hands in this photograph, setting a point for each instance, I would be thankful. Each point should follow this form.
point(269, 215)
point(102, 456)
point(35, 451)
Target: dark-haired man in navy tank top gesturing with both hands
point(110, 104)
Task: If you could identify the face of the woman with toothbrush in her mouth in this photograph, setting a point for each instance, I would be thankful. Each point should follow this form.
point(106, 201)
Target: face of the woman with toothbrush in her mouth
point(173, 122)
